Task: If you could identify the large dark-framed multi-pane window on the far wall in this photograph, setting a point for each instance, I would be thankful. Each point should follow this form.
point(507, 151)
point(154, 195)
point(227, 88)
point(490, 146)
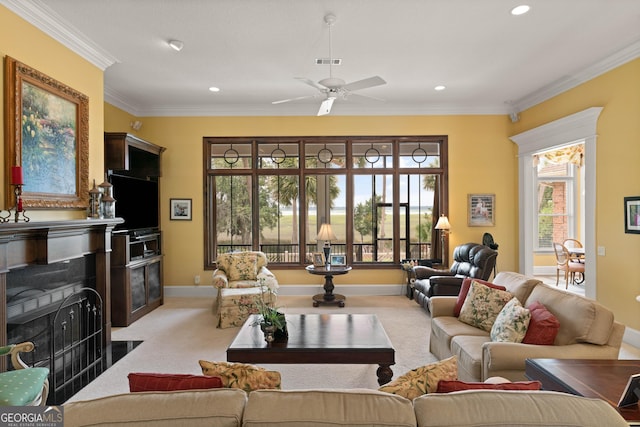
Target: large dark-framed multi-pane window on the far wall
point(380, 195)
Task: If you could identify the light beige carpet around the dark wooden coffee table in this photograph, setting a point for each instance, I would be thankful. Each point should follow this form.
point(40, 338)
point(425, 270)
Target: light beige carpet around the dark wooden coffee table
point(182, 331)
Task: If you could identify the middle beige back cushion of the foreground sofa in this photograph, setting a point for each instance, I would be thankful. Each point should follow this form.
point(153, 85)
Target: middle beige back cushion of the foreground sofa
point(327, 407)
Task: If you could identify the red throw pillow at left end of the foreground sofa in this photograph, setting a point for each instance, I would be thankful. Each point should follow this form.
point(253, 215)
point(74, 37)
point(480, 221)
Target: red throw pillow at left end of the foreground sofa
point(170, 382)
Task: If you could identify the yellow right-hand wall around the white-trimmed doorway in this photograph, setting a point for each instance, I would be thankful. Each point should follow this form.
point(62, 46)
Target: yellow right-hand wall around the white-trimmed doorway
point(617, 176)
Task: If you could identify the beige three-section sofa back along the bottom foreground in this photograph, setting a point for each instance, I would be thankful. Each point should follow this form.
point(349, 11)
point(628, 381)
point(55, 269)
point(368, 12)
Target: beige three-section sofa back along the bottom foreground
point(234, 408)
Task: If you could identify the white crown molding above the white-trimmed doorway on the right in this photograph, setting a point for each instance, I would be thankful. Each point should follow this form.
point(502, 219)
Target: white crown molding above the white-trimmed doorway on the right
point(619, 58)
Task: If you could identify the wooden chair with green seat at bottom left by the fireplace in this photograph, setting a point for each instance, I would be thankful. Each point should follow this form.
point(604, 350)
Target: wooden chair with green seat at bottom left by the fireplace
point(22, 386)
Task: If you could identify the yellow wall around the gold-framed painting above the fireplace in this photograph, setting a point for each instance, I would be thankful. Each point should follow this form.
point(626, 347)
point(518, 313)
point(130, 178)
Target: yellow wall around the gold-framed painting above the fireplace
point(22, 41)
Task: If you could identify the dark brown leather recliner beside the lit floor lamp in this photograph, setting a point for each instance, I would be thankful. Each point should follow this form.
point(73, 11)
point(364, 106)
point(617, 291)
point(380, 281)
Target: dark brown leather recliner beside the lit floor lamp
point(469, 260)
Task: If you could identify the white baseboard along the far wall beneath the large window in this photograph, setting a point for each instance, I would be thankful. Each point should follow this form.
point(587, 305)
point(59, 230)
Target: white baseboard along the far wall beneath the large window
point(293, 290)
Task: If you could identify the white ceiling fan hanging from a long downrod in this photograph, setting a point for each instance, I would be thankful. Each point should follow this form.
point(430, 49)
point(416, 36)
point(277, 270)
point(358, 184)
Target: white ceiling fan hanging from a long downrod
point(333, 88)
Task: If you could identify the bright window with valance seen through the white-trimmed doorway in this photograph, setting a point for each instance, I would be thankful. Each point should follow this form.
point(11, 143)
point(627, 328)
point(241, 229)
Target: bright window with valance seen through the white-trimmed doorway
point(556, 173)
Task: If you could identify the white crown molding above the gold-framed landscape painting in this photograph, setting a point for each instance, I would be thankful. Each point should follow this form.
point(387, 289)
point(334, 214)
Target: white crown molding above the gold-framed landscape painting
point(37, 13)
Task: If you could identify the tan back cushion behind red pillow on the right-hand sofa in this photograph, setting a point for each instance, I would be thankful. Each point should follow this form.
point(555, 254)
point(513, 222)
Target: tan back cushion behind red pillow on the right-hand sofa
point(582, 320)
